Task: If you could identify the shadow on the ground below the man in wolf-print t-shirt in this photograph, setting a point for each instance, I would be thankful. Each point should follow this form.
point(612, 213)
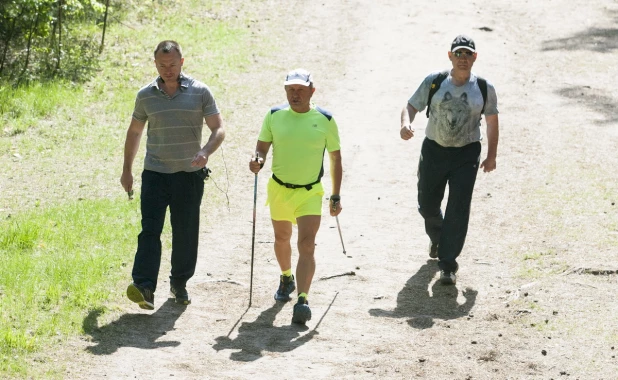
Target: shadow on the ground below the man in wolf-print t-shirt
point(420, 307)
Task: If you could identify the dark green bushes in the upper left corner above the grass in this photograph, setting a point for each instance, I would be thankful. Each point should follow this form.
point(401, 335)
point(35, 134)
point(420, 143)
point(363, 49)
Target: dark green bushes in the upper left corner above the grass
point(42, 39)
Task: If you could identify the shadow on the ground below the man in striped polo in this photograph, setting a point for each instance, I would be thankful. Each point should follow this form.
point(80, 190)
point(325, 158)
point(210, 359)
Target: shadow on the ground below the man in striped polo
point(133, 330)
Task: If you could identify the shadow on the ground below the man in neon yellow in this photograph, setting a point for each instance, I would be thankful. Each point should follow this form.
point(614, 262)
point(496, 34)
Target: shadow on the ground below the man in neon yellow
point(261, 335)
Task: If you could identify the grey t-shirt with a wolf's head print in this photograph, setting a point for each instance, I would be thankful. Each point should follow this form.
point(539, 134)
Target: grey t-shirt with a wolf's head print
point(455, 111)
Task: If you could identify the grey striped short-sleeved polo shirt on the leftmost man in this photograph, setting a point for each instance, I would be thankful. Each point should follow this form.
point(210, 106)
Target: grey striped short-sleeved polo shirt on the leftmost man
point(175, 123)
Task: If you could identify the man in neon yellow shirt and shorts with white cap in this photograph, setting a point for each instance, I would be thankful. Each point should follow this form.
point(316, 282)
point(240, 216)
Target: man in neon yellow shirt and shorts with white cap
point(299, 133)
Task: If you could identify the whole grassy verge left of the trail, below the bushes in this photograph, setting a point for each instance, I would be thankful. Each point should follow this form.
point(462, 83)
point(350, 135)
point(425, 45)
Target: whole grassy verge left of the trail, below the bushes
point(67, 233)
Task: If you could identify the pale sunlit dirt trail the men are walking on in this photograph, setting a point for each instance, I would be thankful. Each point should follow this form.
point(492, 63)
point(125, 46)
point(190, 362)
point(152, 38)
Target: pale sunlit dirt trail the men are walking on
point(516, 311)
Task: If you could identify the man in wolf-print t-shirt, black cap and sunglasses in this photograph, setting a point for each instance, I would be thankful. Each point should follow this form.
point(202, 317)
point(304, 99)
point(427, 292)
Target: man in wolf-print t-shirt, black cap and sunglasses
point(451, 150)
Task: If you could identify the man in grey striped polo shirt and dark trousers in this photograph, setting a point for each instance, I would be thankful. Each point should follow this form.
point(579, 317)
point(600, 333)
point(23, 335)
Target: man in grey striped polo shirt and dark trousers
point(175, 107)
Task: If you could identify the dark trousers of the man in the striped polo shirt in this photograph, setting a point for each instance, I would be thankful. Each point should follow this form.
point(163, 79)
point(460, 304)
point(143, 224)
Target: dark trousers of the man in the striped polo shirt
point(182, 192)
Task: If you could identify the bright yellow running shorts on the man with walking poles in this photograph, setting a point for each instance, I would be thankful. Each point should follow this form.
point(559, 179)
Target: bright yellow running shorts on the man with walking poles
point(289, 204)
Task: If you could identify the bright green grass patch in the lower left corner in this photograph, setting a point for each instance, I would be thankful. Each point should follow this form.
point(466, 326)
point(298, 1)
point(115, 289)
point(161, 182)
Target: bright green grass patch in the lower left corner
point(57, 264)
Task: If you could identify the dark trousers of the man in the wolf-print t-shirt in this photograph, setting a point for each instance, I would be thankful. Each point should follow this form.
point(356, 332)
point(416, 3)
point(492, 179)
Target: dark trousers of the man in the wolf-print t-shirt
point(437, 167)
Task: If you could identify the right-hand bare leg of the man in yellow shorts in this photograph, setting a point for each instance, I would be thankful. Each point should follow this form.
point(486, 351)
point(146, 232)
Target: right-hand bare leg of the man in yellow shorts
point(308, 226)
